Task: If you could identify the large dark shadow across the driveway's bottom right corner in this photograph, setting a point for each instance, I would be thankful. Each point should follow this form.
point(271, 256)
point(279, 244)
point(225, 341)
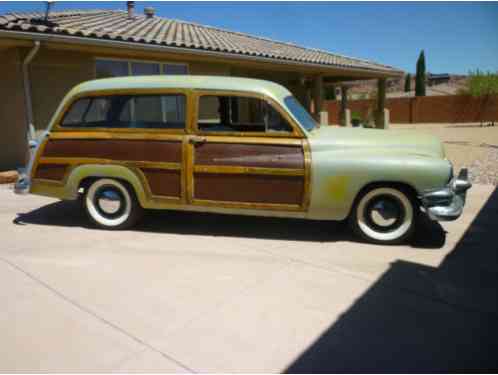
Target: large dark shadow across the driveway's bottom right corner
point(419, 319)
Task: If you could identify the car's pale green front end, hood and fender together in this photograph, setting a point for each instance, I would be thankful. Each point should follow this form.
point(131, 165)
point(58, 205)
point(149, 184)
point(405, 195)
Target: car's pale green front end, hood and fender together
point(345, 160)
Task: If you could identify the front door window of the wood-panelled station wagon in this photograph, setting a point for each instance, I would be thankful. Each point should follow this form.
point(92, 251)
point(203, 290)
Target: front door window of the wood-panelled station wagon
point(239, 114)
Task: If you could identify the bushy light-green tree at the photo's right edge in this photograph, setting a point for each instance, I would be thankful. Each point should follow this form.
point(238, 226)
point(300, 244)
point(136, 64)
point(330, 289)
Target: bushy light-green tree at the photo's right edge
point(484, 86)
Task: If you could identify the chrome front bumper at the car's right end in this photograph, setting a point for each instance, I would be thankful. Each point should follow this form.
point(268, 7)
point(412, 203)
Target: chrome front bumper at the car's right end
point(447, 204)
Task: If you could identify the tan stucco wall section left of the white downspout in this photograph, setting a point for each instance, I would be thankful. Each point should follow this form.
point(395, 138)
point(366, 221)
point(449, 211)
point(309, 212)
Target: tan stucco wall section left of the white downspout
point(12, 111)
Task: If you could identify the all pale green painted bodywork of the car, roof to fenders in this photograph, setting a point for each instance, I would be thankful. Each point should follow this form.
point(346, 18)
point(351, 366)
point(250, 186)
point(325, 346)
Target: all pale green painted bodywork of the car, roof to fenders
point(343, 160)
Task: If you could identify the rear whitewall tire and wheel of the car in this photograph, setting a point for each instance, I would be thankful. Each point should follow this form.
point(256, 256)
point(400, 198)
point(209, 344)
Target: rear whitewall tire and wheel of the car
point(109, 204)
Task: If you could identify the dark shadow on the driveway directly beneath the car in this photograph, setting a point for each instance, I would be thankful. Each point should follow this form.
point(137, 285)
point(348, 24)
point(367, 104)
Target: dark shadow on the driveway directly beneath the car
point(429, 234)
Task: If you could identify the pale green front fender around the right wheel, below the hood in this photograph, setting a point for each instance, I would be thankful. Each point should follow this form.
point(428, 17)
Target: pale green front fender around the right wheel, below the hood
point(338, 176)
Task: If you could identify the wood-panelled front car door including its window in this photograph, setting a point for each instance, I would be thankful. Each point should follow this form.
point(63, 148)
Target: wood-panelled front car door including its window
point(245, 152)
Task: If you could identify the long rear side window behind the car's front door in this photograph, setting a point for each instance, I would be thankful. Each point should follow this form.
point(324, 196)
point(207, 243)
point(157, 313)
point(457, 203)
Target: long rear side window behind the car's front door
point(127, 111)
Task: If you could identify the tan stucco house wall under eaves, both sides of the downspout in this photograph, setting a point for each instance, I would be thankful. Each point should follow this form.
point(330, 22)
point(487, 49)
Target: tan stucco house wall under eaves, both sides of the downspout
point(54, 72)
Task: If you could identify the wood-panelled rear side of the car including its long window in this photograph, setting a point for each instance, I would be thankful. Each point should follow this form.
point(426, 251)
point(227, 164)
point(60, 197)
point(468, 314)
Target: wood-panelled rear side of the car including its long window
point(143, 130)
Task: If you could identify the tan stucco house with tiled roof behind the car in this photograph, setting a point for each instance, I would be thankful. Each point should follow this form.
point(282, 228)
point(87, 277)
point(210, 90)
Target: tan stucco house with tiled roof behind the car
point(42, 56)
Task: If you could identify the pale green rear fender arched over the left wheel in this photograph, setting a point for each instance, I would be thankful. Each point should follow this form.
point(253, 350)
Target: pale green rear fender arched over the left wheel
point(129, 174)
